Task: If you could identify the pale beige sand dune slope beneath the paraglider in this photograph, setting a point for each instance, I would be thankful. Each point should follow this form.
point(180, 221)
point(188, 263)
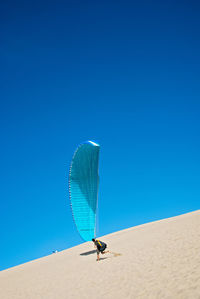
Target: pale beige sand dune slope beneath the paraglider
point(159, 260)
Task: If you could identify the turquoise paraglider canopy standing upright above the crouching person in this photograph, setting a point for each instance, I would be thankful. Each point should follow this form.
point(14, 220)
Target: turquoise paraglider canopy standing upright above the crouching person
point(83, 188)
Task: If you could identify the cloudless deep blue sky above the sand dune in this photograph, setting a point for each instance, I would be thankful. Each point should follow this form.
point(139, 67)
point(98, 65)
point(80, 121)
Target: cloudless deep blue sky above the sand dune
point(122, 73)
